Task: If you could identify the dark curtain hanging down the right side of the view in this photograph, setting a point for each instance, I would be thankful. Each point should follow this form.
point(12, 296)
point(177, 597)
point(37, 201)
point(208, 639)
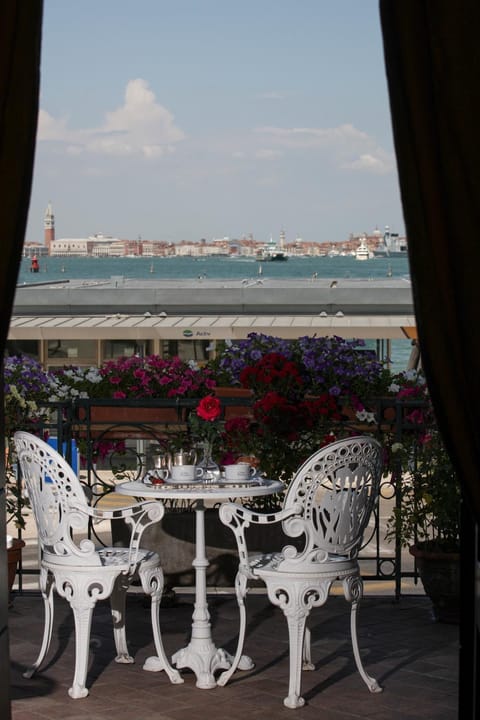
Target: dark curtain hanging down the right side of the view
point(432, 62)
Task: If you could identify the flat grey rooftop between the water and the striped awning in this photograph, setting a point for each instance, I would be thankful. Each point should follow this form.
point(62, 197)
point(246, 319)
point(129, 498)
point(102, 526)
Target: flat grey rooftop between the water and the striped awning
point(204, 296)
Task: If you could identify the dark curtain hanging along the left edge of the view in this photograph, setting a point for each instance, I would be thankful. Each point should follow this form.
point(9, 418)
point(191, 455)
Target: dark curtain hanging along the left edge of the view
point(20, 41)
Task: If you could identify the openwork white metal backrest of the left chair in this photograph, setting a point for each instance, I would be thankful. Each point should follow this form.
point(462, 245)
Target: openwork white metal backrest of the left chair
point(55, 494)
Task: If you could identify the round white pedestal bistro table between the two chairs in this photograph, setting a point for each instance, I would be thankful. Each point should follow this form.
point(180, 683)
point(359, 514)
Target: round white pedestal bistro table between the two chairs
point(201, 654)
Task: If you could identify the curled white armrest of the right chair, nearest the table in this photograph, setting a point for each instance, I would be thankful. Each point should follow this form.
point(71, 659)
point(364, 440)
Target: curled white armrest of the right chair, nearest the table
point(238, 518)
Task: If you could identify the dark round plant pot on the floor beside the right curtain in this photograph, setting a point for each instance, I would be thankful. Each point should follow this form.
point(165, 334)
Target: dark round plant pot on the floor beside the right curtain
point(440, 576)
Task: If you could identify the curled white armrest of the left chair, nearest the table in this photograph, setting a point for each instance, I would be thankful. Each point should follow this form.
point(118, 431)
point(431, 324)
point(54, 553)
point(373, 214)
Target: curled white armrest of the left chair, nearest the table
point(138, 517)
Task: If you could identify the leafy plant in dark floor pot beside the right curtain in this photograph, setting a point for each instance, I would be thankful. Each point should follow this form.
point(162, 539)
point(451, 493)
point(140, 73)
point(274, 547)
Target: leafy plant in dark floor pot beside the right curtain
point(427, 518)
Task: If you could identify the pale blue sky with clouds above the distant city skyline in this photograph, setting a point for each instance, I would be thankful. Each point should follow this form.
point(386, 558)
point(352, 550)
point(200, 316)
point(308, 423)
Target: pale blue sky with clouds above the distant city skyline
point(210, 118)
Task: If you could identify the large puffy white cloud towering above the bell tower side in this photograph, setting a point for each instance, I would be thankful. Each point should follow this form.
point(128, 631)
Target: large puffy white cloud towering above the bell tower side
point(139, 127)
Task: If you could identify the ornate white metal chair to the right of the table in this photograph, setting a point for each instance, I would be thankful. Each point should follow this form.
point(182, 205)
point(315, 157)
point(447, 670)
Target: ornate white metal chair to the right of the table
point(329, 502)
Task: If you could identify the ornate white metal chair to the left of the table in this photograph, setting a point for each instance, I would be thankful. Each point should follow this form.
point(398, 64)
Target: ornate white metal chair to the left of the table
point(79, 571)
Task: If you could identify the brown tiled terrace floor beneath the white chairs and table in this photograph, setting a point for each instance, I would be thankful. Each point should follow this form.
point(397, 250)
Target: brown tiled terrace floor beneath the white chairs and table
point(414, 658)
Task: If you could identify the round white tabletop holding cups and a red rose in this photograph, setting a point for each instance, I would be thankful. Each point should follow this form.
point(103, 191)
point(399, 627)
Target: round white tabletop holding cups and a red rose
point(200, 490)
